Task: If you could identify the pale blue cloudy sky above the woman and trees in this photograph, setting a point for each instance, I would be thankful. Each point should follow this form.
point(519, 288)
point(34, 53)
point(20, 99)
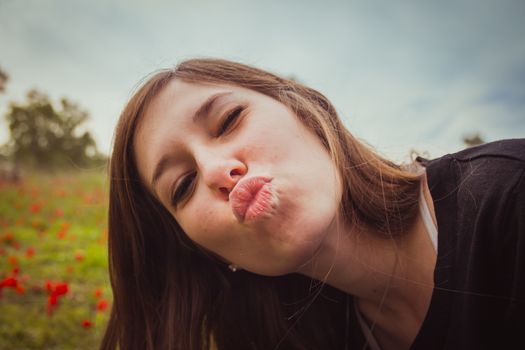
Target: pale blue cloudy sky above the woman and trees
point(403, 75)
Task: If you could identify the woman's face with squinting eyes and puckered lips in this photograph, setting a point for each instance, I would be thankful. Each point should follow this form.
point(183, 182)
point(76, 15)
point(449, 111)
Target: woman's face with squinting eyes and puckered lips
point(240, 173)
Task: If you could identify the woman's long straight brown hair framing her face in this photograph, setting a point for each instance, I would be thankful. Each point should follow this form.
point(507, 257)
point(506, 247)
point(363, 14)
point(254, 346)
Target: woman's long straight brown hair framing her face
point(170, 294)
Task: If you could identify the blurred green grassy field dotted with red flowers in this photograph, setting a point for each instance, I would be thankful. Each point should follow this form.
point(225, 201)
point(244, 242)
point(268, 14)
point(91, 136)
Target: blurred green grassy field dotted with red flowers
point(54, 285)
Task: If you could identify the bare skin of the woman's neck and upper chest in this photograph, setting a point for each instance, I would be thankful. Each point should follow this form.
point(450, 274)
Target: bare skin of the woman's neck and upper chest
point(390, 278)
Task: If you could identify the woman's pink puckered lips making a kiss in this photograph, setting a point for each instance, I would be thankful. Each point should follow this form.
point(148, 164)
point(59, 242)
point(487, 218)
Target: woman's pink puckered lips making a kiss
point(244, 193)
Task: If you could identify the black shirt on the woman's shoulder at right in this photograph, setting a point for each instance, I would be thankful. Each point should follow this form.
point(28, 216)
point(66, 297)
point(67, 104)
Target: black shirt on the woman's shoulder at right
point(479, 296)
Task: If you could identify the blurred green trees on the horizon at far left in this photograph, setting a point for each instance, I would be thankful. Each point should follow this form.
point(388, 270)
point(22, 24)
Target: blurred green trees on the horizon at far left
point(43, 135)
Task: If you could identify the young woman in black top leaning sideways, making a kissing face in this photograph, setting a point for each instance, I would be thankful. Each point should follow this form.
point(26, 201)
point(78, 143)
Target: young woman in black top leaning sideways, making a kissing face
point(243, 215)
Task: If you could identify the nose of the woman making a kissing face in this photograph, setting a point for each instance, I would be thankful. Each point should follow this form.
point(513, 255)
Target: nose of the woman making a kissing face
point(221, 174)
